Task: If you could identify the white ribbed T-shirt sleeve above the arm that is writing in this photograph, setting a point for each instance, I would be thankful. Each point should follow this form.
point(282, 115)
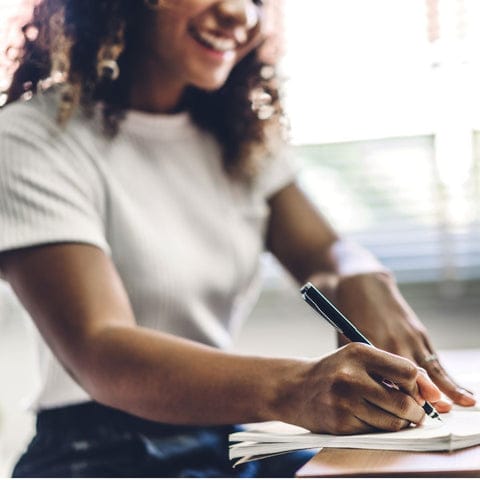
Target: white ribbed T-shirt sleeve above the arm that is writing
point(48, 193)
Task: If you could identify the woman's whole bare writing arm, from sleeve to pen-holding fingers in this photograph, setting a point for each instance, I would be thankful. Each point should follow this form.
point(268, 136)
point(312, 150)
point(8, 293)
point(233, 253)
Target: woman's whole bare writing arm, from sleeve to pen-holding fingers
point(77, 301)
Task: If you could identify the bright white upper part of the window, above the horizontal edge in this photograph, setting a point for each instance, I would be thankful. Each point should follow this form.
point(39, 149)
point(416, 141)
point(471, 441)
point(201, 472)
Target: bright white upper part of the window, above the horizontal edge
point(376, 69)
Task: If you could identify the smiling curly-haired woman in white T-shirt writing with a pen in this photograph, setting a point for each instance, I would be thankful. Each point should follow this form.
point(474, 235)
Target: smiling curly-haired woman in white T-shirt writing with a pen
point(138, 187)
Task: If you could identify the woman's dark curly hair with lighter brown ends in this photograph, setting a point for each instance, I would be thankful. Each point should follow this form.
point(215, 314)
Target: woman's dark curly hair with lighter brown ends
point(64, 41)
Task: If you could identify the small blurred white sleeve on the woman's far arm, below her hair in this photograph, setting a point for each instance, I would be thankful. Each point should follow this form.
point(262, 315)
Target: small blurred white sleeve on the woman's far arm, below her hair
point(277, 172)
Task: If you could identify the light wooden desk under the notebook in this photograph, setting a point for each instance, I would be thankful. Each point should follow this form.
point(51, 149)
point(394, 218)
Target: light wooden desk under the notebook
point(342, 462)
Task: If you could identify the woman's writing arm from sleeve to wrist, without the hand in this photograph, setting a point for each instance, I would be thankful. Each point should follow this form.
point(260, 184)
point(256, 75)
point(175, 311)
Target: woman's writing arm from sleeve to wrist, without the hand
point(78, 303)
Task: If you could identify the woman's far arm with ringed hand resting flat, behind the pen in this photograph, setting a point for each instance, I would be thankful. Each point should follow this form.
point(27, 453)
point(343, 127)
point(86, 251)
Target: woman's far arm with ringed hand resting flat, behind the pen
point(305, 243)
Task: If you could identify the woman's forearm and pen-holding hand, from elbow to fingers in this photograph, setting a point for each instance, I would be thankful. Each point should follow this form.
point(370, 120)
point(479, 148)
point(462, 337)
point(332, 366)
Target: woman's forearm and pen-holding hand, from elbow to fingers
point(167, 379)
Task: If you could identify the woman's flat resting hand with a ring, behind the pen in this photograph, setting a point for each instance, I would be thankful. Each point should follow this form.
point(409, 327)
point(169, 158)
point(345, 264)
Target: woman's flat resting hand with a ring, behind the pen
point(374, 304)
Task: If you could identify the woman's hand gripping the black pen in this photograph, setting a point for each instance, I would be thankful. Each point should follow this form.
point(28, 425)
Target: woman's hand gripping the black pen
point(343, 392)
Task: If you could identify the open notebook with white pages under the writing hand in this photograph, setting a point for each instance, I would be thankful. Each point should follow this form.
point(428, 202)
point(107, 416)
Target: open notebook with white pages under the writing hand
point(460, 429)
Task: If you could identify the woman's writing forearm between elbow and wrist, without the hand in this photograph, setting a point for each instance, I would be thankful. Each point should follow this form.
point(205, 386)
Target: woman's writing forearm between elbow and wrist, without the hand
point(172, 380)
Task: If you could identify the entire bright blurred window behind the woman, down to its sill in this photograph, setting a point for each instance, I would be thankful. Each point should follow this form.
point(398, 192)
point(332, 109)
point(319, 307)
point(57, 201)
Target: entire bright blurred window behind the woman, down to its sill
point(384, 104)
